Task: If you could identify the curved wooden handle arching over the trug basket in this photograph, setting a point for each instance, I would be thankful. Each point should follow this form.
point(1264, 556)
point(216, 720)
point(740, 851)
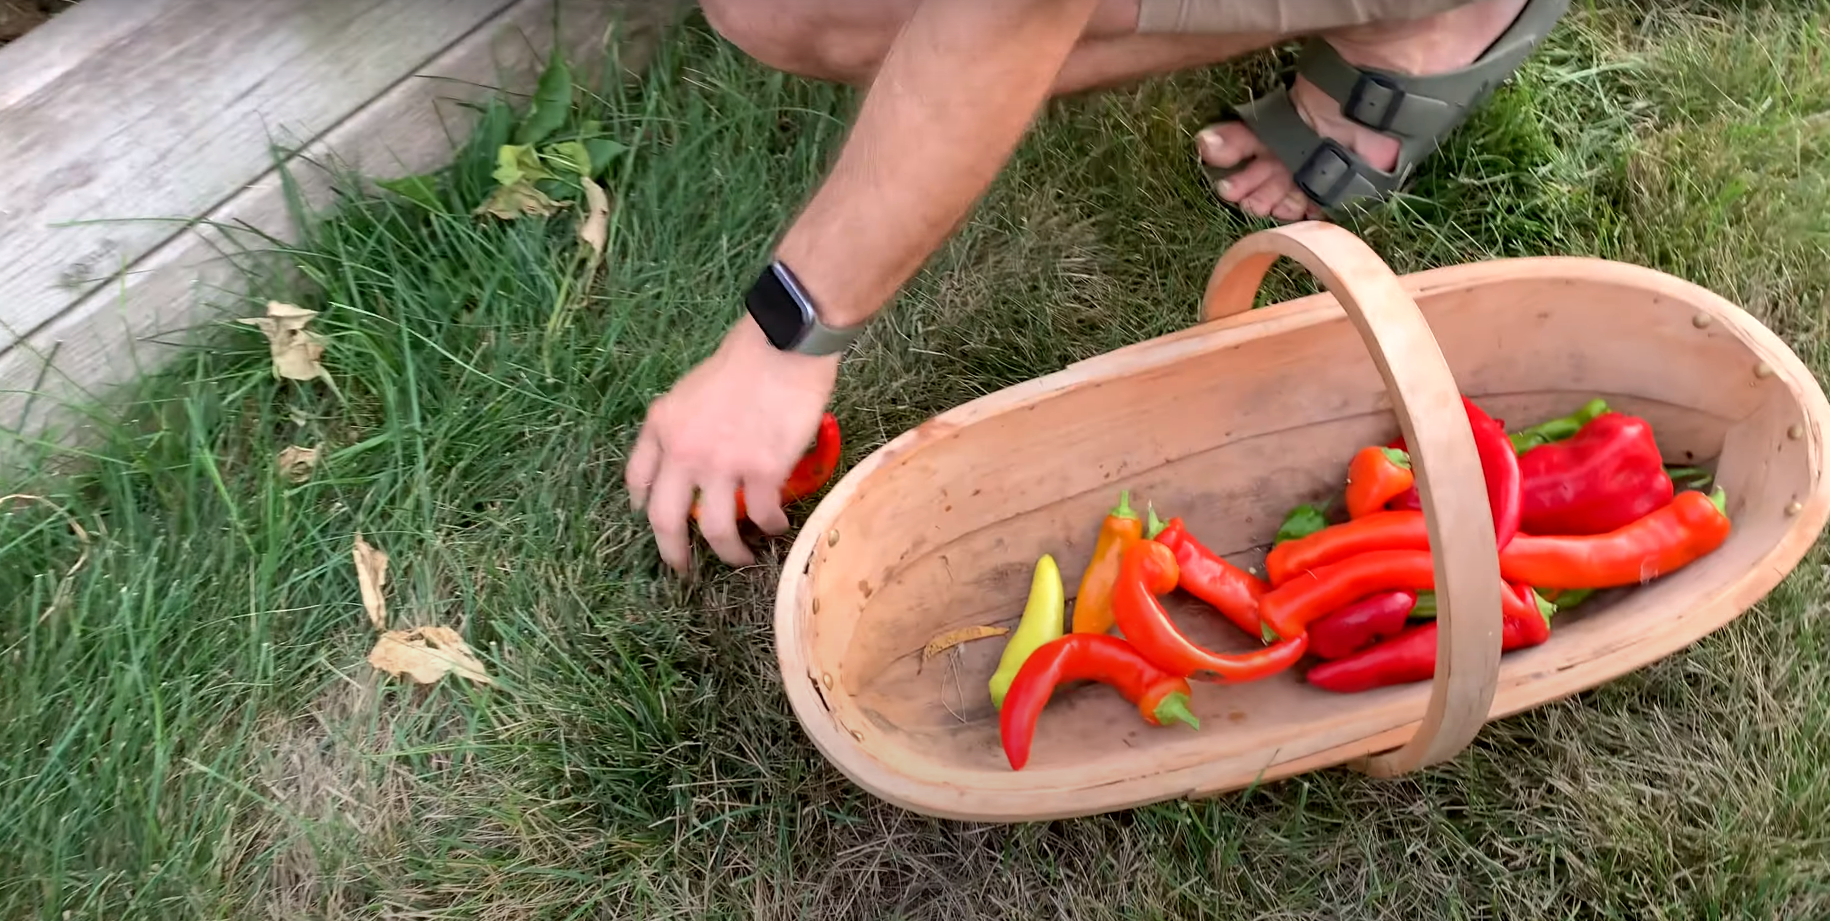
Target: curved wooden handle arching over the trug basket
point(1443, 451)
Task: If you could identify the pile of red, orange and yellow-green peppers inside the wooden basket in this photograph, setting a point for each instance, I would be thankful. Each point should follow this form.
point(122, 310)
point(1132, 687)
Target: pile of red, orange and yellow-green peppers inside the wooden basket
point(1580, 504)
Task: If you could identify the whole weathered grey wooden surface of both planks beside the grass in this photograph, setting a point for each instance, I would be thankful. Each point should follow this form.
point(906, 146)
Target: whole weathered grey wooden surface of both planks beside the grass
point(145, 114)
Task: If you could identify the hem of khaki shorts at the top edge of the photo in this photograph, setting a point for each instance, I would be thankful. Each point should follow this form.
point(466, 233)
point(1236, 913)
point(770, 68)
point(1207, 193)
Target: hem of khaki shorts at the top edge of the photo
point(1284, 17)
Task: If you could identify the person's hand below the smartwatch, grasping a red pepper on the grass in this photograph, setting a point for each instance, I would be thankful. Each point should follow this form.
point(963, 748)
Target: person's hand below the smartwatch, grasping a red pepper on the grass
point(742, 418)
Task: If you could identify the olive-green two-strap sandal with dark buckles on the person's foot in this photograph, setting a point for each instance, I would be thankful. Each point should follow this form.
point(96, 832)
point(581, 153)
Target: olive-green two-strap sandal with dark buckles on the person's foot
point(1419, 111)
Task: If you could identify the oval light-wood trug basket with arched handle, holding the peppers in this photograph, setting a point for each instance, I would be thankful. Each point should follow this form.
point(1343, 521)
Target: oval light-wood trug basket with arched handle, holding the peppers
point(1231, 424)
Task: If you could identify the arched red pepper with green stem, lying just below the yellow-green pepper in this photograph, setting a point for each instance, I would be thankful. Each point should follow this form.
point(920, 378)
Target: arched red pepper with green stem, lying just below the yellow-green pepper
point(1159, 697)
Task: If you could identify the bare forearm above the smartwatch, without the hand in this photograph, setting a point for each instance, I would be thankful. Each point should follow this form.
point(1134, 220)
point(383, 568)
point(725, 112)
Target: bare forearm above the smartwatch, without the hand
point(951, 103)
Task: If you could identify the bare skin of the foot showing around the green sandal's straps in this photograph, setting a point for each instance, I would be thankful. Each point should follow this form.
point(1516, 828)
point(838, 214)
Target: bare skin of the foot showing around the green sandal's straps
point(1434, 45)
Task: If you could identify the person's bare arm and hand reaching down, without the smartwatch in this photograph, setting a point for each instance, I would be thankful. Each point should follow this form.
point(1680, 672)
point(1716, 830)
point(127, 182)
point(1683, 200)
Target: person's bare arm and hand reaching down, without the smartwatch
point(949, 105)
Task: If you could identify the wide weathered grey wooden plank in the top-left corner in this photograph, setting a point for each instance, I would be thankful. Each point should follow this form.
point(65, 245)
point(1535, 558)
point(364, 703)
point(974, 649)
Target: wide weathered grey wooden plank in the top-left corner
point(129, 114)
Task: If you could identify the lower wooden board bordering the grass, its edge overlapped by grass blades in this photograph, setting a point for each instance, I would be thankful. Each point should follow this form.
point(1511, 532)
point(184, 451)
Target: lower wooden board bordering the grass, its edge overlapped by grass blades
point(116, 332)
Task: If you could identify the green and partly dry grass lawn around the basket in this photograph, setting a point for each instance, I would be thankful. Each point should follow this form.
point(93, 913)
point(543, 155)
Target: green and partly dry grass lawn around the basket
point(188, 726)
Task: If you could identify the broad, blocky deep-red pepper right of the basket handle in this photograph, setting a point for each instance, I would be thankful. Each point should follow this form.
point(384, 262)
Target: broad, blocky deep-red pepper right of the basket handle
point(1606, 477)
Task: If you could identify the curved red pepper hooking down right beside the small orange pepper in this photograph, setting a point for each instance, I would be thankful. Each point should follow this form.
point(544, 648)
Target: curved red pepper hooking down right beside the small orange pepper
point(1150, 570)
